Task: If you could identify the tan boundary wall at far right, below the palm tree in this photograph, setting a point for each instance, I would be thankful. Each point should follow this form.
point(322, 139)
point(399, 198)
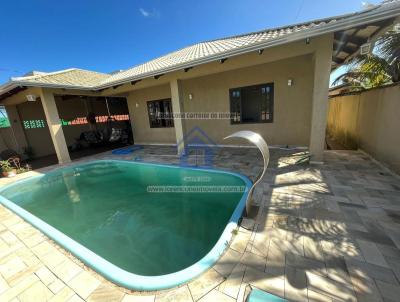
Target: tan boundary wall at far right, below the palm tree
point(374, 115)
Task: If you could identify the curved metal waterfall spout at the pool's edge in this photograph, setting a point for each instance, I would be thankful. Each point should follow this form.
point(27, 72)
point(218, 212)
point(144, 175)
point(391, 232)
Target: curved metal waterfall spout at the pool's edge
point(260, 143)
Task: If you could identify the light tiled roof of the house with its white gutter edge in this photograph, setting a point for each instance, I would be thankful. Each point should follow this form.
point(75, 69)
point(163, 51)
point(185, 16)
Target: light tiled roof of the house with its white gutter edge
point(209, 51)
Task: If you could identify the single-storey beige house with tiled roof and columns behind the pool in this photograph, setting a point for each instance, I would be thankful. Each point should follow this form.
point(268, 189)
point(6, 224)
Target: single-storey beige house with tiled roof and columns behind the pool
point(274, 82)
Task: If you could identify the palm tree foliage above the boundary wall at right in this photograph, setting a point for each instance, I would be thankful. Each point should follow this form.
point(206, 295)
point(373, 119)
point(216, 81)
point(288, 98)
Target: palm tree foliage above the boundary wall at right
point(379, 68)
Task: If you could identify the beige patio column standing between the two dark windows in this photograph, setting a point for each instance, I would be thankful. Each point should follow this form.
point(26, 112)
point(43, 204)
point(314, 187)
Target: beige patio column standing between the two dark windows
point(177, 107)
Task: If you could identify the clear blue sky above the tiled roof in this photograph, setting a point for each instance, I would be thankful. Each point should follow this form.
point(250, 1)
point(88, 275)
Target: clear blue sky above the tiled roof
point(106, 36)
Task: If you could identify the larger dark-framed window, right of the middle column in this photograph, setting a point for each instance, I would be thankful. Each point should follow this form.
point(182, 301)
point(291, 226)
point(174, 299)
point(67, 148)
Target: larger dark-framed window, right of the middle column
point(252, 104)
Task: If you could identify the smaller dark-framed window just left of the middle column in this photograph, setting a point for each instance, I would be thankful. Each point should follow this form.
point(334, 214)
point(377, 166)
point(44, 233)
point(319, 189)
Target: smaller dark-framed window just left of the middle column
point(160, 113)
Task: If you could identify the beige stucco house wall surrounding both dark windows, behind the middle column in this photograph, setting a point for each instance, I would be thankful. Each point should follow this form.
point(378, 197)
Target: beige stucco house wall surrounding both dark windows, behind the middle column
point(292, 104)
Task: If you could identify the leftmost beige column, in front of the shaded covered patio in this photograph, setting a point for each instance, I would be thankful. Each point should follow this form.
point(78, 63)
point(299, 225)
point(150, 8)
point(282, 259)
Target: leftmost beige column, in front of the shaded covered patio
point(55, 128)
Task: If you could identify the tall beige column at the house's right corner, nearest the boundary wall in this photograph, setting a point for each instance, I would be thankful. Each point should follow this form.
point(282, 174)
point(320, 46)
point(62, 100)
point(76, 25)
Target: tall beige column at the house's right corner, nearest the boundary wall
point(322, 68)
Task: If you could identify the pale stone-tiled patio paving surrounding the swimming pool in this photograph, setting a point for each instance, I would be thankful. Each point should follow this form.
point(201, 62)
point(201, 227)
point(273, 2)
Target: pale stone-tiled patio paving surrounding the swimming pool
point(323, 233)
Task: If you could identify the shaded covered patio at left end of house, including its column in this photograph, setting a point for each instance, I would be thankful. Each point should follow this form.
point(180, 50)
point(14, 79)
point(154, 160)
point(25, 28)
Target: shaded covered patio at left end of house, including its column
point(59, 127)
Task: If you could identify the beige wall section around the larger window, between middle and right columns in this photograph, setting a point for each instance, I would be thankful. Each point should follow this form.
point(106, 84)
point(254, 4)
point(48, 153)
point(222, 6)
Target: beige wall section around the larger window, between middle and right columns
point(292, 104)
